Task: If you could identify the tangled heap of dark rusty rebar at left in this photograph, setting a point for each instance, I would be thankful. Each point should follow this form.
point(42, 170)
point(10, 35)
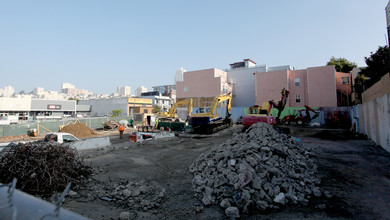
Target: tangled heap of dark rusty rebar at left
point(42, 168)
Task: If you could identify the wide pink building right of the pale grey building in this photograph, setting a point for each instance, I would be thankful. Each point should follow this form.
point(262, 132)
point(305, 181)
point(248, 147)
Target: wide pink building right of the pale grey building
point(314, 87)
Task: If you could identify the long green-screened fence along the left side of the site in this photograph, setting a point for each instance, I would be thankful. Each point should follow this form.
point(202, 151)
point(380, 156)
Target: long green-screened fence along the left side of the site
point(54, 125)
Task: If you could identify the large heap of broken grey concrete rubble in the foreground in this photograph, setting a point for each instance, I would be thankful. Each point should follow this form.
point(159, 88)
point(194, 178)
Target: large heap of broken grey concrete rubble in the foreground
point(259, 170)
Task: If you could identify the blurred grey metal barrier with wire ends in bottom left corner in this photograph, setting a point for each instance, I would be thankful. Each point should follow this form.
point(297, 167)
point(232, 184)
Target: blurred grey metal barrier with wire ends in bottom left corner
point(16, 205)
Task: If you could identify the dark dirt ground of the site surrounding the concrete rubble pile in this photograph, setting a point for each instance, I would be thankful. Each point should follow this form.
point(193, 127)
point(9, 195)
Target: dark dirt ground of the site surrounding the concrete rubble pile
point(354, 171)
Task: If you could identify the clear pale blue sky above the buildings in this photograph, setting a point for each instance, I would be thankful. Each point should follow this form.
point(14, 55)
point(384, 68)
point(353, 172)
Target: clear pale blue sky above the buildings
point(98, 45)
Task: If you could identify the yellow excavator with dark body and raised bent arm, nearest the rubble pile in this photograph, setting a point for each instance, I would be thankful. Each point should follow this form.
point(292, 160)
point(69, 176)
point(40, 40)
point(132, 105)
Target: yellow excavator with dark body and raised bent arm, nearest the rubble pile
point(210, 122)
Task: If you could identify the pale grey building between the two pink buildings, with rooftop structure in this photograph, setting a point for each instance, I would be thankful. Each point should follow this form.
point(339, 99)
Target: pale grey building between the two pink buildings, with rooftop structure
point(241, 77)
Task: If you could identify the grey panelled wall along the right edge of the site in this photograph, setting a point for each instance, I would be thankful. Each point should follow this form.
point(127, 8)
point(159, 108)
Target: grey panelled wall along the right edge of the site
point(374, 120)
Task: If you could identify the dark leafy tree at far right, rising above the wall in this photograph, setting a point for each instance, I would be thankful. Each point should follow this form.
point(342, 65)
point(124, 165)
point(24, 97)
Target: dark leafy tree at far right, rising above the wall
point(378, 64)
